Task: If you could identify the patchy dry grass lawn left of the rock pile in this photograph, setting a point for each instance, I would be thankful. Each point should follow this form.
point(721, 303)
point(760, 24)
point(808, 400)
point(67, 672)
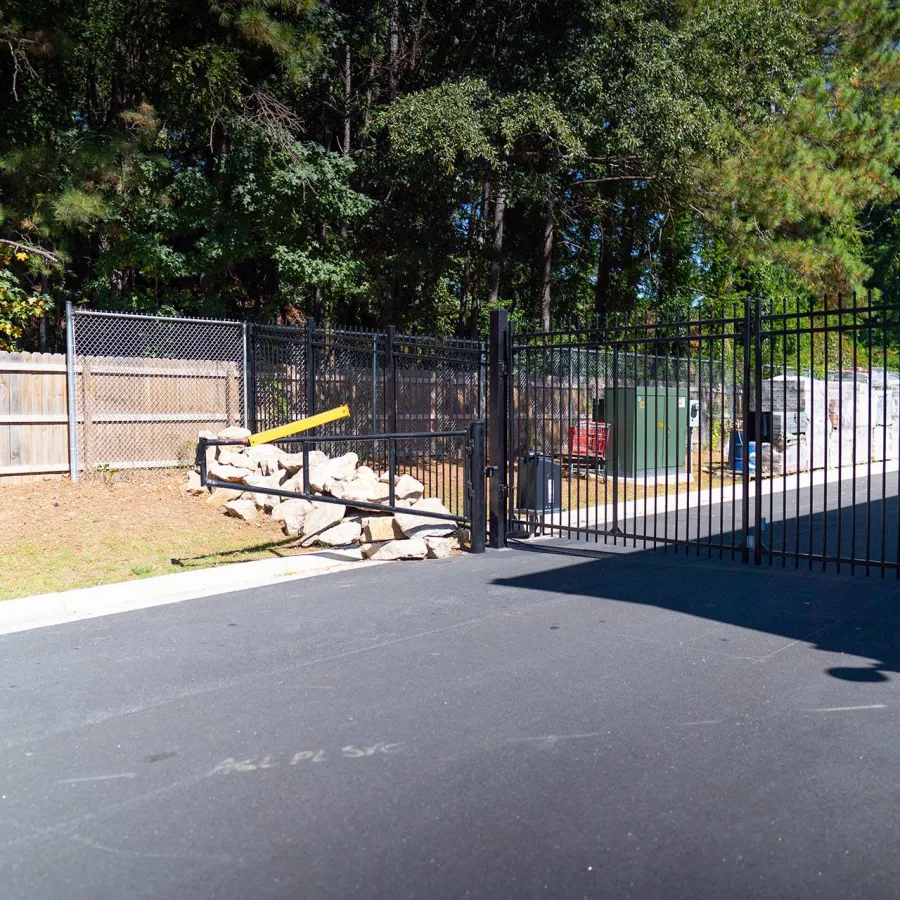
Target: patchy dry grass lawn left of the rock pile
point(55, 535)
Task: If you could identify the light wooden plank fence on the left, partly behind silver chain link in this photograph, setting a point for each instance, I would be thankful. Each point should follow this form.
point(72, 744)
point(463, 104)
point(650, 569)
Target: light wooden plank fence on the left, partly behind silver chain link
point(130, 412)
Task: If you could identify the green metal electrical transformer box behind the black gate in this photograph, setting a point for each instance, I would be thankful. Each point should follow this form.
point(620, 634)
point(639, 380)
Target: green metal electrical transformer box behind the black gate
point(649, 430)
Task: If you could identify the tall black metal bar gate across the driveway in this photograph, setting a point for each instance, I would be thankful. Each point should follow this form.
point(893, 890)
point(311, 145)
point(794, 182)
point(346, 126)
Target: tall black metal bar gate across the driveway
point(748, 432)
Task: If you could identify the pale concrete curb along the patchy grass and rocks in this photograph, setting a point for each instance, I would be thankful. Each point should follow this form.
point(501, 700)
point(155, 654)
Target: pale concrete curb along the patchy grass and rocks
point(43, 610)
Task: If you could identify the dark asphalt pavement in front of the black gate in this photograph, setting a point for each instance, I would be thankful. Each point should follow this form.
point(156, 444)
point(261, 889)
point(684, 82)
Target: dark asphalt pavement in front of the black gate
point(520, 724)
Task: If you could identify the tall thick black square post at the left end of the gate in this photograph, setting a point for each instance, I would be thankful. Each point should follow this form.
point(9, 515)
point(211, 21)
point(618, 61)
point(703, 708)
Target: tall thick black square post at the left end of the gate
point(498, 418)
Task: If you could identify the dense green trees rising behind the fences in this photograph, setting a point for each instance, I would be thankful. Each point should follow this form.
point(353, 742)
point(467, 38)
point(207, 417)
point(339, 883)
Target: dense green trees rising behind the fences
point(368, 162)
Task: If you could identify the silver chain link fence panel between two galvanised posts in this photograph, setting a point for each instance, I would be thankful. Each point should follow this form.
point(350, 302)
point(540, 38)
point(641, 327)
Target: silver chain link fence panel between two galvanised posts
point(145, 386)
